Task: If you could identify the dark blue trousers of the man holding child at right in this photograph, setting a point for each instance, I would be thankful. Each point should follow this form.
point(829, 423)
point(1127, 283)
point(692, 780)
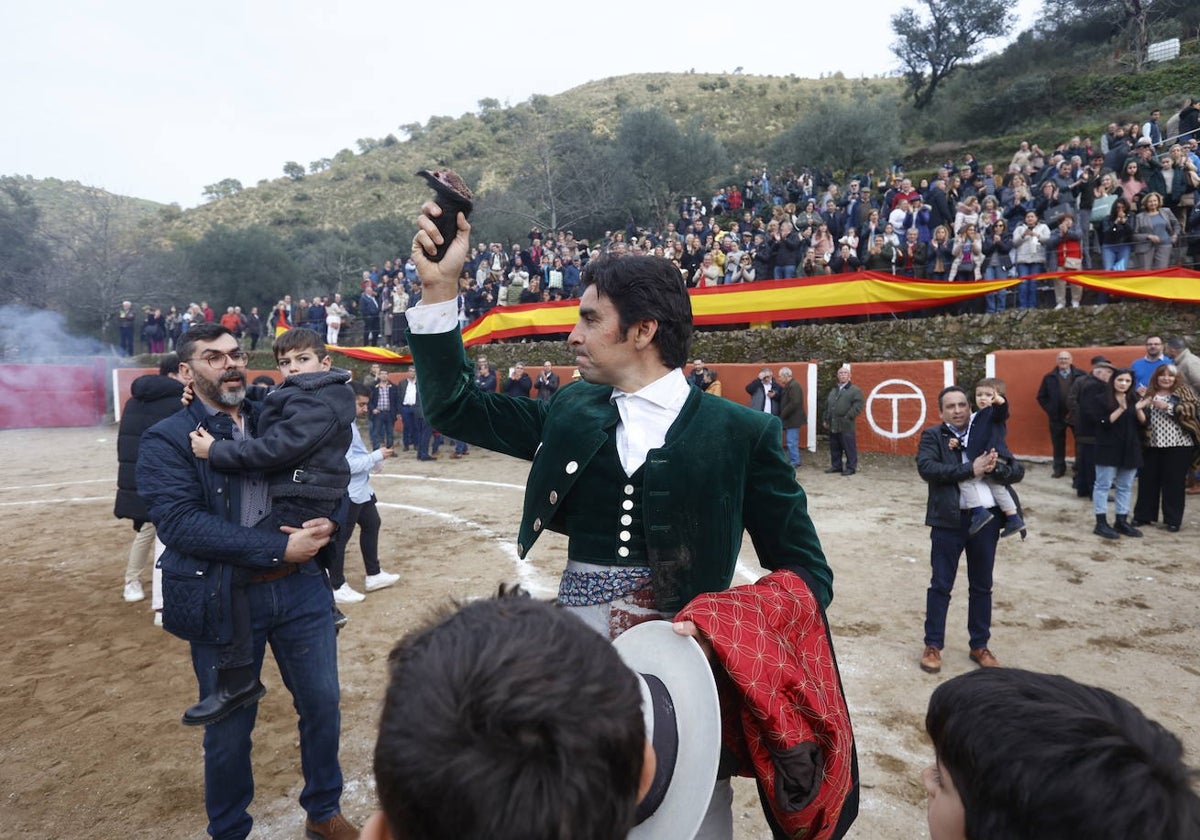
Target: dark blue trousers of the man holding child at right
point(946, 548)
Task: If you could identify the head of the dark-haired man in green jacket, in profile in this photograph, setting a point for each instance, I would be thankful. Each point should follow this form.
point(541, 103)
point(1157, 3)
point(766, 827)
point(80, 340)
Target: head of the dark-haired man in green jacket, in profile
point(632, 309)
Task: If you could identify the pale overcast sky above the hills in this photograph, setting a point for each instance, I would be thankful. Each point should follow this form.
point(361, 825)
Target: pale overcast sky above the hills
point(157, 100)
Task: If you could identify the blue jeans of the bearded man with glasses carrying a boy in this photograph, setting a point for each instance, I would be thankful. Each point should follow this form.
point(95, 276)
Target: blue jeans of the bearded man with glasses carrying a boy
point(296, 615)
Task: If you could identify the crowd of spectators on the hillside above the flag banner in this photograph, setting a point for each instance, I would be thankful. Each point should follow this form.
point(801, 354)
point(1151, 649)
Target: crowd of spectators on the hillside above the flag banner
point(1131, 202)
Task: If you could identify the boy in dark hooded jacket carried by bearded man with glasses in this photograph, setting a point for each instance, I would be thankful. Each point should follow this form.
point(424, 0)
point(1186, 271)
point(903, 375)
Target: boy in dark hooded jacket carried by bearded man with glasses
point(304, 433)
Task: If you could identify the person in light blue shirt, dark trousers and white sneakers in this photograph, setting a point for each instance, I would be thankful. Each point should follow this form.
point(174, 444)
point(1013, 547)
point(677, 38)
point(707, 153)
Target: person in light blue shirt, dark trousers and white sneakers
point(363, 512)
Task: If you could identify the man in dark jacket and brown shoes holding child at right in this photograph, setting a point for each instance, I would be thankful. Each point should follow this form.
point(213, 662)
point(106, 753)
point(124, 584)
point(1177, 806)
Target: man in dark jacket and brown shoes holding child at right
point(943, 463)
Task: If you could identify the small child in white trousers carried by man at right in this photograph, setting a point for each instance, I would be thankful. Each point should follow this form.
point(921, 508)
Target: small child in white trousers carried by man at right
point(988, 430)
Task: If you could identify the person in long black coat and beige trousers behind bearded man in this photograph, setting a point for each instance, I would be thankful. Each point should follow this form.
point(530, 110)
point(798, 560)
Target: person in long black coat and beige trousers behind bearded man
point(153, 398)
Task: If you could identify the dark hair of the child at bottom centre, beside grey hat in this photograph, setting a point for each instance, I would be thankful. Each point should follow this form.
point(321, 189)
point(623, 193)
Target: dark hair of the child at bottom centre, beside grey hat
point(509, 719)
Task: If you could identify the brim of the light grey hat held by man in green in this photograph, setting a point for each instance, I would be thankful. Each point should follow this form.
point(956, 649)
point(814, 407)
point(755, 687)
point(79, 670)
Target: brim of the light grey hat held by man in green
point(680, 663)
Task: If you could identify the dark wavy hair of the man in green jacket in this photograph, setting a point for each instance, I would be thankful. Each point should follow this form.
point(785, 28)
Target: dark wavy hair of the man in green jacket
point(647, 289)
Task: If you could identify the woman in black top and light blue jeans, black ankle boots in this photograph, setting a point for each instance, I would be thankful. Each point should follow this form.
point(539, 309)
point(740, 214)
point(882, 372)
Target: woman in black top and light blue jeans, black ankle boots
point(1119, 416)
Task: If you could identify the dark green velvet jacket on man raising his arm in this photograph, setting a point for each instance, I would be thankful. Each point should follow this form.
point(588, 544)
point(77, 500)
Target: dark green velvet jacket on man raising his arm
point(721, 471)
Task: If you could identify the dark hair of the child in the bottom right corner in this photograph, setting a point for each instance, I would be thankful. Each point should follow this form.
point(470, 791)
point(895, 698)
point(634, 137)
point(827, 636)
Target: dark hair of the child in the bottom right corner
point(1041, 757)
